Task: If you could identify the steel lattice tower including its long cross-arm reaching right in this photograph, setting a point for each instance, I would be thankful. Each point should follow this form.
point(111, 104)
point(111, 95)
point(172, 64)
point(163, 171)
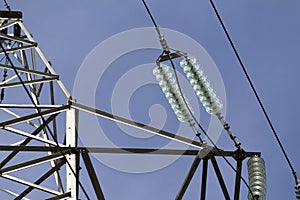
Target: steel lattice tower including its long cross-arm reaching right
point(35, 150)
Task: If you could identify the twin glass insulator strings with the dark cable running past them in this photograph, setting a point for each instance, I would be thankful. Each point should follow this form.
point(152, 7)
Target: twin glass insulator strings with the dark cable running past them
point(177, 100)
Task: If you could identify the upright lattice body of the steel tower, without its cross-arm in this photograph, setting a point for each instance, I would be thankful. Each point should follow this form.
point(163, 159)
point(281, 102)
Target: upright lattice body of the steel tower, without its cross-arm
point(29, 86)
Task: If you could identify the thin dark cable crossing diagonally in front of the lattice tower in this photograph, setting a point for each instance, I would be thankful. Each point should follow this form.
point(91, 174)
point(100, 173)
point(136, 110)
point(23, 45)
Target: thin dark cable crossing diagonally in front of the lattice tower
point(43, 119)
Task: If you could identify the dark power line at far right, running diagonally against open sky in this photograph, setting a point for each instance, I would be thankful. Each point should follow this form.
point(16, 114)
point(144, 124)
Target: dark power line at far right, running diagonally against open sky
point(254, 90)
